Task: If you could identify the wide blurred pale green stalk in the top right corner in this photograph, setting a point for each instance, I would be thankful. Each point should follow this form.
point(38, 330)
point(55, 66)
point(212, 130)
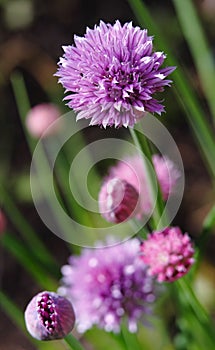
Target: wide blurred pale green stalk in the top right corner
point(200, 50)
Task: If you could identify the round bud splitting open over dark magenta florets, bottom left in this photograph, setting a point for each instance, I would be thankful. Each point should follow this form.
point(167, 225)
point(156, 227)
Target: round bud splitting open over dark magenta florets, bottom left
point(49, 316)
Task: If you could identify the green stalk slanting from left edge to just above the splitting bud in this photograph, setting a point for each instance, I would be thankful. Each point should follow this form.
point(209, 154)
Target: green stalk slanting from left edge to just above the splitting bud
point(24, 256)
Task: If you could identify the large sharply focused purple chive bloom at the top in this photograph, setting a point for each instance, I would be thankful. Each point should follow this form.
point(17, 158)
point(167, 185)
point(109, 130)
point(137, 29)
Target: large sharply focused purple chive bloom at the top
point(112, 75)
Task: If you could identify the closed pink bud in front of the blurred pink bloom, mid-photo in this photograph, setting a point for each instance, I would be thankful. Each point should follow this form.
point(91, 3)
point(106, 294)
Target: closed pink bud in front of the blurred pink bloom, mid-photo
point(117, 200)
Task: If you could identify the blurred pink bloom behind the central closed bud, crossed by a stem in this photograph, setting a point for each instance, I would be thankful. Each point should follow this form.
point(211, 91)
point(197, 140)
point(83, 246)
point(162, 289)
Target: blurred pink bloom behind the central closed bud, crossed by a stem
point(131, 170)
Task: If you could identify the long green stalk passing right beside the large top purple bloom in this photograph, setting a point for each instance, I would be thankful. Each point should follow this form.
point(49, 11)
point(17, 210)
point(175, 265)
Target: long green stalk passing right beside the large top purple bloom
point(185, 94)
